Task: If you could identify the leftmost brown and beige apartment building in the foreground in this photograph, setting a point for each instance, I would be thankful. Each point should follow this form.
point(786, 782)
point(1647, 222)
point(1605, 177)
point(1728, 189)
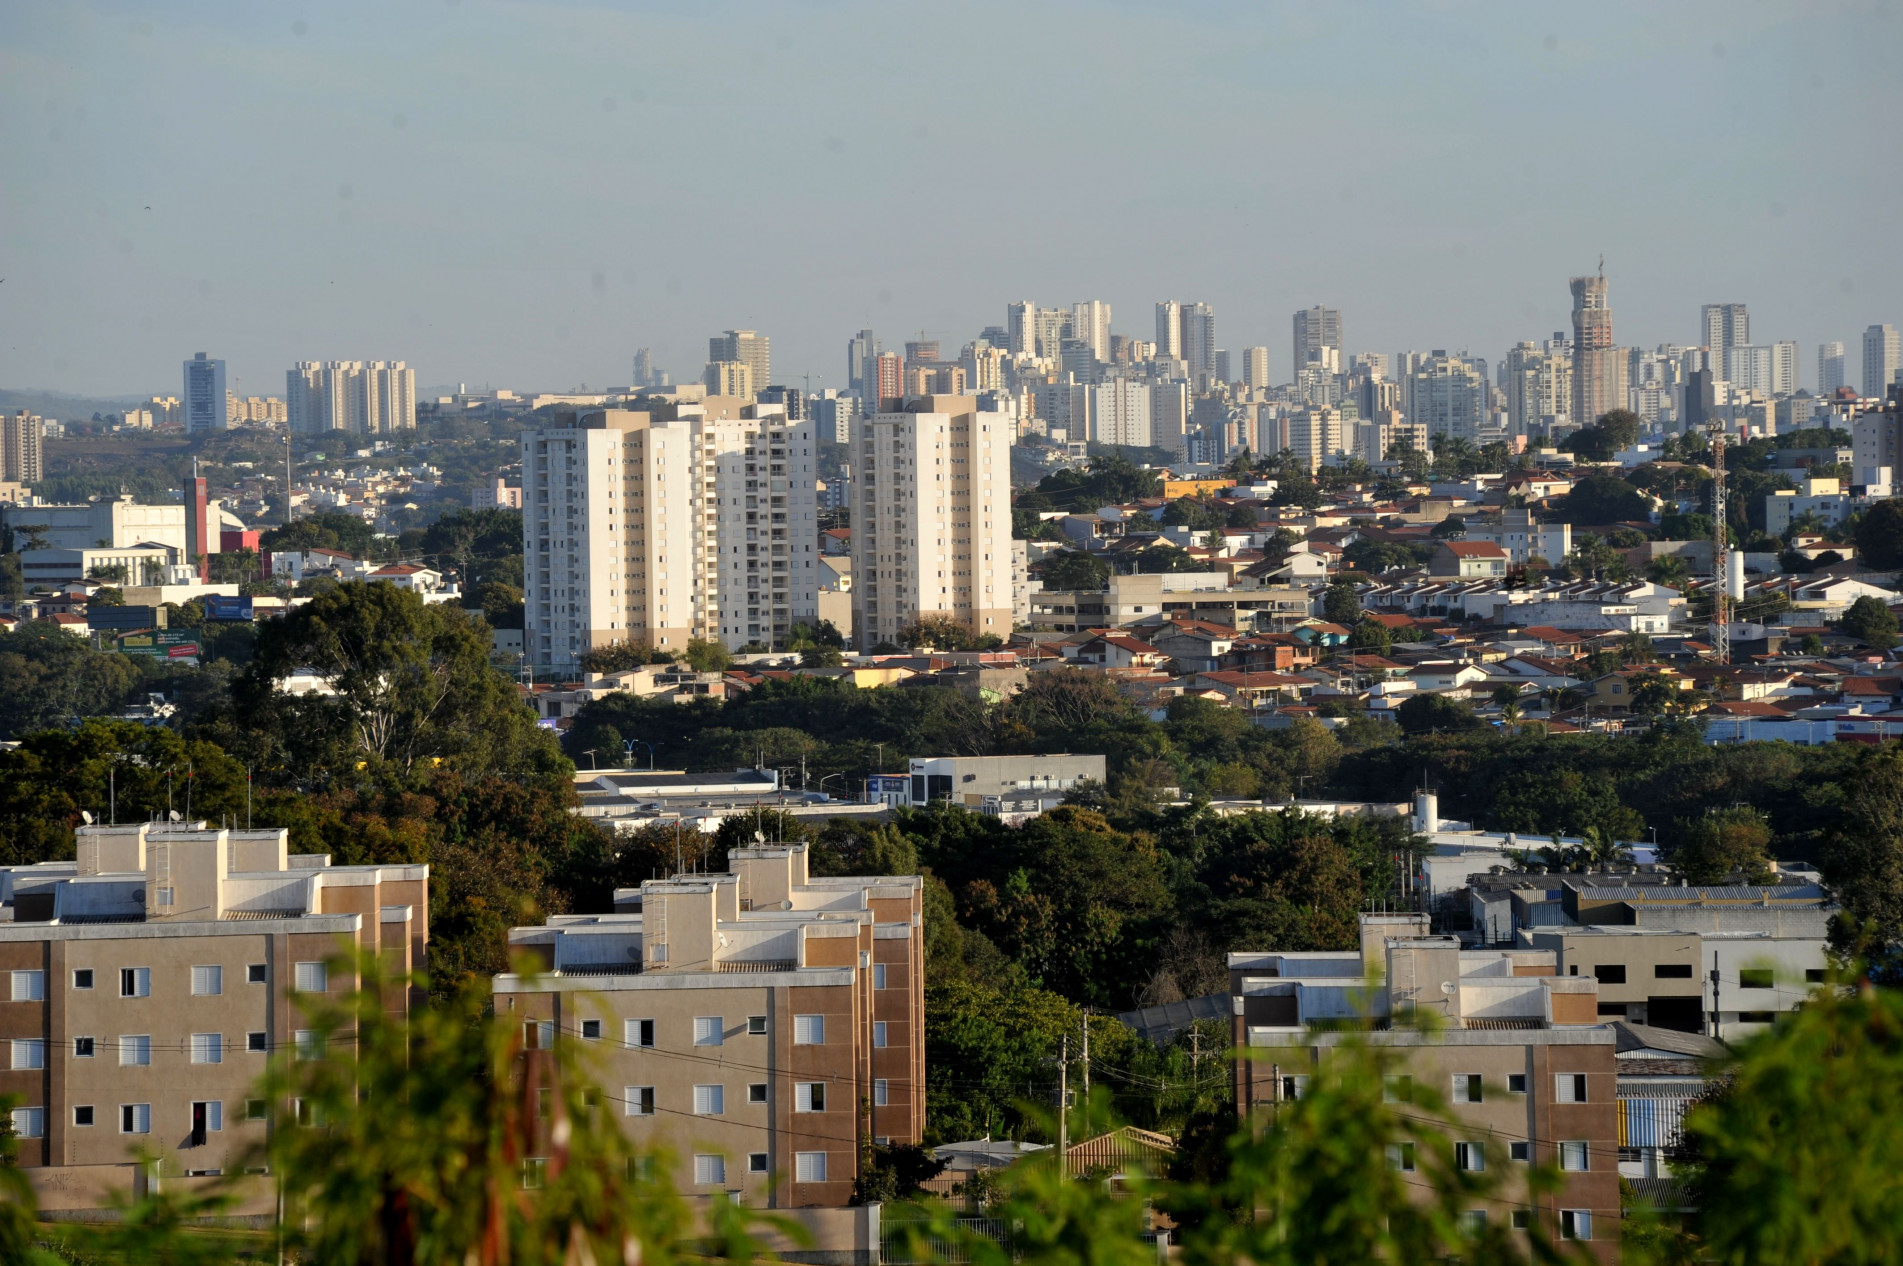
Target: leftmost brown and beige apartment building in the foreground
point(146, 985)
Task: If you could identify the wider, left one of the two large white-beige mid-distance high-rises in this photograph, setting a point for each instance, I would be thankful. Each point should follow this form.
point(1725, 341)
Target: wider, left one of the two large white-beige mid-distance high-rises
point(694, 521)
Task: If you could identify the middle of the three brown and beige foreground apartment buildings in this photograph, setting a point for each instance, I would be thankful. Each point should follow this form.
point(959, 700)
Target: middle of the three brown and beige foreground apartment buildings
point(758, 1025)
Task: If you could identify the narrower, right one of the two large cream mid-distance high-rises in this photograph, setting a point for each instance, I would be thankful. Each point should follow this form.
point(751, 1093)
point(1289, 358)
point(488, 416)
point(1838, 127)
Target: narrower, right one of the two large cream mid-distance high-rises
point(932, 519)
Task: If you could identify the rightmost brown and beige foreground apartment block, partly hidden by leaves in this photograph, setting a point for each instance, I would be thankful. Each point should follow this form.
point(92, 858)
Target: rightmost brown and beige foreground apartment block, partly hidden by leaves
point(1516, 1052)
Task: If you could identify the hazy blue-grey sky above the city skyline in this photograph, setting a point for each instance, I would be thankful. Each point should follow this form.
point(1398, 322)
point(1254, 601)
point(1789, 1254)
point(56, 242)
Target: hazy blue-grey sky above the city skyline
point(524, 193)
